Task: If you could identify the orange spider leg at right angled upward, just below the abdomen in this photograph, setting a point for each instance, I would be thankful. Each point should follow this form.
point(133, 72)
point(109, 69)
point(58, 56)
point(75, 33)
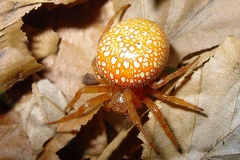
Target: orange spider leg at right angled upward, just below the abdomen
point(165, 80)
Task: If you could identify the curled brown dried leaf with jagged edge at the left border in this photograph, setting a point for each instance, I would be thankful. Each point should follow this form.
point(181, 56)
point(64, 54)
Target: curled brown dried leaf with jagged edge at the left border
point(16, 61)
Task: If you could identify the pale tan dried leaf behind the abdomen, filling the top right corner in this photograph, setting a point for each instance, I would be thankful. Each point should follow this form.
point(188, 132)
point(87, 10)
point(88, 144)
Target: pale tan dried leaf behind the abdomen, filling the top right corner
point(191, 26)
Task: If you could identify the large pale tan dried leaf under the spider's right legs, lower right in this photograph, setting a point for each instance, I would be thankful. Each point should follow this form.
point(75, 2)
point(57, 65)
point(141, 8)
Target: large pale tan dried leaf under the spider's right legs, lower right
point(214, 87)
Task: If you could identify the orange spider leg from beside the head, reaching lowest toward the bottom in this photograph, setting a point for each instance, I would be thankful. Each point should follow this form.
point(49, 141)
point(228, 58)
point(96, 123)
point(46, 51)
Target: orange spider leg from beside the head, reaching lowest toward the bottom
point(135, 118)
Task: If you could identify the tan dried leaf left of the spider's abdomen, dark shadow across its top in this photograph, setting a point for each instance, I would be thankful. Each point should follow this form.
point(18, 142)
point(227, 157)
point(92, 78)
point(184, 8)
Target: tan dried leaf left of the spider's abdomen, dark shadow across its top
point(78, 45)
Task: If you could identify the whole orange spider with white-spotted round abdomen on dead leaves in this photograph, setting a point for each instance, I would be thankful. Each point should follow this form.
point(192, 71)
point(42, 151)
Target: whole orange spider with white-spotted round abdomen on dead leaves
point(130, 56)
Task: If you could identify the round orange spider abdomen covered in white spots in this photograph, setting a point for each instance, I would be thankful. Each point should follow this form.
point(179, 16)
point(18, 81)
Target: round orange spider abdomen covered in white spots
point(132, 53)
